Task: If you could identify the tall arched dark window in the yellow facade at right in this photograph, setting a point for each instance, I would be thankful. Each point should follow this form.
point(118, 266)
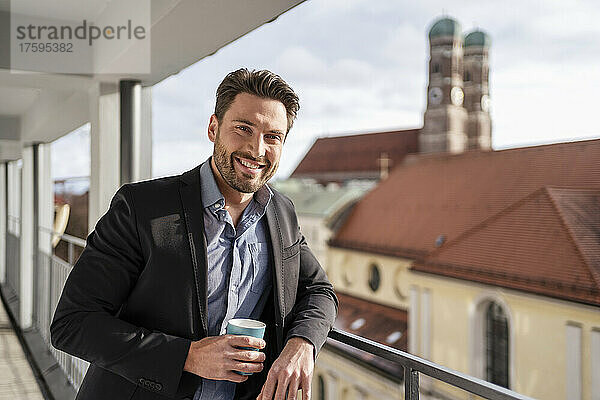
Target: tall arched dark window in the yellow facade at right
point(496, 345)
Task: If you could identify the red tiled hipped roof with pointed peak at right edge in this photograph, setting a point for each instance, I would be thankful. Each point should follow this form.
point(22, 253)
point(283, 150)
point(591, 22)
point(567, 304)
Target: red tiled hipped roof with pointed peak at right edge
point(547, 243)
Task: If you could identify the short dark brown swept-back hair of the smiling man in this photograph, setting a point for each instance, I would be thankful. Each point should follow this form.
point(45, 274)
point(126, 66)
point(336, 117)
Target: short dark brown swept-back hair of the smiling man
point(261, 83)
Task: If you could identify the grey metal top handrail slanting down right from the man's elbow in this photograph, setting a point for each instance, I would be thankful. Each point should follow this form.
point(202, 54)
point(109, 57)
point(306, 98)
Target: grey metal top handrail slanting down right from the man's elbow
point(469, 383)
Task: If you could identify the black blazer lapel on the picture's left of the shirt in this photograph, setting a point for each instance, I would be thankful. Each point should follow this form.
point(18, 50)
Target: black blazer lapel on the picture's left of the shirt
point(191, 200)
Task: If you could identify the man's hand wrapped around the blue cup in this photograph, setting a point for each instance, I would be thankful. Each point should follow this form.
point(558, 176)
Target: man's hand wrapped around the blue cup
point(216, 357)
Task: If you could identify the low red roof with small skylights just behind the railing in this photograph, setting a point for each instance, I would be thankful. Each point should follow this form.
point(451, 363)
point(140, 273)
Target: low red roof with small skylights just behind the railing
point(379, 322)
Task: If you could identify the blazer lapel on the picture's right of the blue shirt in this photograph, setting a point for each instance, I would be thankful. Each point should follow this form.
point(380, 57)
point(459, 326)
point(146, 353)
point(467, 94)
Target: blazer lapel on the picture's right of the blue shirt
point(278, 286)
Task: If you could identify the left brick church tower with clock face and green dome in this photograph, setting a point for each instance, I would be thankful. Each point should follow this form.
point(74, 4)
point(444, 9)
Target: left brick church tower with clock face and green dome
point(445, 119)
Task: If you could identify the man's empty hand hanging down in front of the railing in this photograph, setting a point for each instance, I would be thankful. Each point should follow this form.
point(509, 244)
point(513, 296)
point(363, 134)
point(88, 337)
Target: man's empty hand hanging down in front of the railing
point(291, 371)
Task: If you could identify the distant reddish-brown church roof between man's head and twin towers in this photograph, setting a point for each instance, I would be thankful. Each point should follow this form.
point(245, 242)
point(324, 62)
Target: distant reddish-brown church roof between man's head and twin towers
point(357, 153)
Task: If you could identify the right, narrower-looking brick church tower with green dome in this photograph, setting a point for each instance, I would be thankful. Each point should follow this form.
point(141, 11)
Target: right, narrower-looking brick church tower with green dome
point(476, 84)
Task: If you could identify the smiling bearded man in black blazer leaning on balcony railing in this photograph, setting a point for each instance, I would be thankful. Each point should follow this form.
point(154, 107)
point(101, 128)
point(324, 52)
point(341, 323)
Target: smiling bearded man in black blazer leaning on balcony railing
point(174, 259)
